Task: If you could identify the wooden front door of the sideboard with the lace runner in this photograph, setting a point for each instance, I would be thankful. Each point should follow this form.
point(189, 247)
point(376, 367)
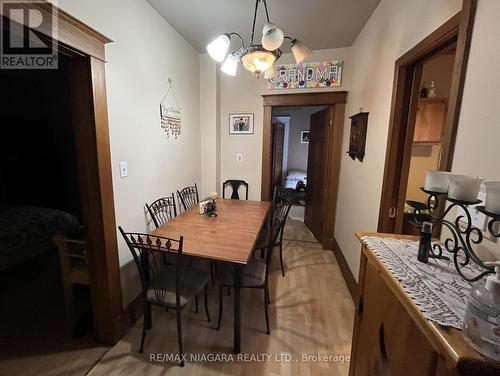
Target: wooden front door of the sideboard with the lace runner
point(389, 342)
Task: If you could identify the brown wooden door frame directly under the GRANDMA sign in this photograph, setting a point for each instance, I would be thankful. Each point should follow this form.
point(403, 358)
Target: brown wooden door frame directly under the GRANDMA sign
point(337, 99)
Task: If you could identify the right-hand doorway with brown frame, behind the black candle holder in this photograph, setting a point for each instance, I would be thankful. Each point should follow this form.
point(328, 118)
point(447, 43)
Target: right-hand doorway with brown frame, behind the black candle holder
point(424, 117)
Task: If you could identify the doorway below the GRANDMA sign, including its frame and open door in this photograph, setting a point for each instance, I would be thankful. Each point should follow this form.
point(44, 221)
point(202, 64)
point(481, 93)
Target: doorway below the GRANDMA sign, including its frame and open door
point(302, 149)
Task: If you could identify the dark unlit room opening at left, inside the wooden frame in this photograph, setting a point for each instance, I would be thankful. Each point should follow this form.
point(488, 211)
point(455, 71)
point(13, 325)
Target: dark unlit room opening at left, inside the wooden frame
point(42, 311)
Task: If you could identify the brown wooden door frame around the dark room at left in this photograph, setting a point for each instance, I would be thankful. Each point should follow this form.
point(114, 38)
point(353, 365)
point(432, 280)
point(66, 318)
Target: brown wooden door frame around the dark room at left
point(86, 47)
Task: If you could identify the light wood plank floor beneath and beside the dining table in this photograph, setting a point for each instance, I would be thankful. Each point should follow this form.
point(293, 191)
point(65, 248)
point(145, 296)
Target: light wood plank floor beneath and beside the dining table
point(311, 313)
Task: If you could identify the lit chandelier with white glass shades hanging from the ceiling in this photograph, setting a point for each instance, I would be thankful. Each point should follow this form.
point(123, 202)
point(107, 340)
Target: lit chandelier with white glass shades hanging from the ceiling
point(257, 58)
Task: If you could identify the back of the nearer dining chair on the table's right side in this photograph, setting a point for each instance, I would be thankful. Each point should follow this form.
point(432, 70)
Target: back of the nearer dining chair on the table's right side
point(282, 202)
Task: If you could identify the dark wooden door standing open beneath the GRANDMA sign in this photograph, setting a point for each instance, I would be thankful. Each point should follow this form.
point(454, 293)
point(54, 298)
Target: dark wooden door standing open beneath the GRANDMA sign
point(316, 173)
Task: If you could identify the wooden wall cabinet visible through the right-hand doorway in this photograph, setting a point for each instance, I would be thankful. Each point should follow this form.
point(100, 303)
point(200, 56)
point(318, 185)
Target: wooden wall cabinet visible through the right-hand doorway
point(430, 121)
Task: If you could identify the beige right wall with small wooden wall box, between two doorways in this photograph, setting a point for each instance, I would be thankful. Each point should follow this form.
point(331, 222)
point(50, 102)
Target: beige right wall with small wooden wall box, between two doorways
point(394, 28)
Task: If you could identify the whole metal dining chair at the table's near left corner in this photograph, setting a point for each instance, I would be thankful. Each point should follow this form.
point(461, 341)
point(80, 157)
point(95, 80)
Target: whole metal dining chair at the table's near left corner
point(170, 285)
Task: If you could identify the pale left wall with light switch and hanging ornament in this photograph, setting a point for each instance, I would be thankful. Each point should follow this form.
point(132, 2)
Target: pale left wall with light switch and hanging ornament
point(144, 53)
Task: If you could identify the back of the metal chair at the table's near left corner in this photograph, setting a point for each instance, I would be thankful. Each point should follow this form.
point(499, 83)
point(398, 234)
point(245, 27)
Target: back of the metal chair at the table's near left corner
point(151, 255)
